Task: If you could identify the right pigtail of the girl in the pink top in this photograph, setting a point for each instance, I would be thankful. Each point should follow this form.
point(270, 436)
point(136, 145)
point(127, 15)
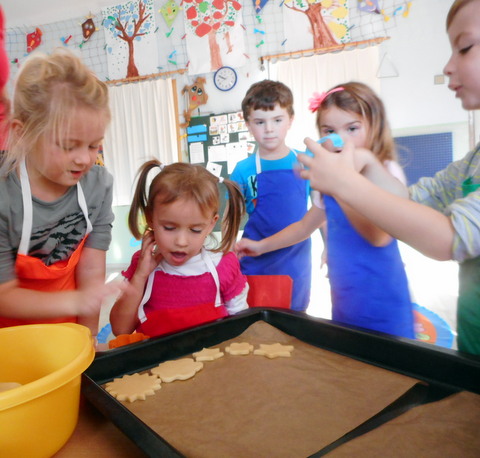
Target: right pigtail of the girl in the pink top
point(232, 216)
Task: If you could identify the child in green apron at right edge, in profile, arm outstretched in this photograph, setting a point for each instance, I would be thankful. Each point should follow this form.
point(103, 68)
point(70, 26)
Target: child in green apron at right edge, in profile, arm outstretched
point(442, 217)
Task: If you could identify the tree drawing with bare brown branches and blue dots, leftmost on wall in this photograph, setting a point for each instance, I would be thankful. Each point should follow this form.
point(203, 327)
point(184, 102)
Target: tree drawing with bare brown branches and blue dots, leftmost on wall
point(129, 22)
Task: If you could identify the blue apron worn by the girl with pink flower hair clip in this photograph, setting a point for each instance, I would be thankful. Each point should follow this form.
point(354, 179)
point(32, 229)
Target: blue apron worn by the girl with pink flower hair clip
point(369, 285)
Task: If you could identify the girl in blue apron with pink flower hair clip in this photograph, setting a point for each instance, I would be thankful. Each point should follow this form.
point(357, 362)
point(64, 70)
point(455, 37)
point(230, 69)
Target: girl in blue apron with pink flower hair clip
point(368, 282)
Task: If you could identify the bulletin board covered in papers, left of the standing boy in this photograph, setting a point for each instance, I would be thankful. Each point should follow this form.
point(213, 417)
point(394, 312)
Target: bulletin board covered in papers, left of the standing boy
point(218, 142)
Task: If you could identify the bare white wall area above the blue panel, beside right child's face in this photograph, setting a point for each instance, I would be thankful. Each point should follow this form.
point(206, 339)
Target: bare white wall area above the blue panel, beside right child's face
point(419, 49)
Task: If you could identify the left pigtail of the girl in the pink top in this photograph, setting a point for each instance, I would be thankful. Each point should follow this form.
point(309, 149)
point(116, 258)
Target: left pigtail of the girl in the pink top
point(140, 208)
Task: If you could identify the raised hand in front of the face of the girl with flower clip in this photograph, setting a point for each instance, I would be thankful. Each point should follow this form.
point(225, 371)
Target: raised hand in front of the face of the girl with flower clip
point(326, 170)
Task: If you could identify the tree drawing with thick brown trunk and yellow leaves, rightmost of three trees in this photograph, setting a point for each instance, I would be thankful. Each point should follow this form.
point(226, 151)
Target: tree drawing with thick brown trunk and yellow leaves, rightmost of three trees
point(327, 21)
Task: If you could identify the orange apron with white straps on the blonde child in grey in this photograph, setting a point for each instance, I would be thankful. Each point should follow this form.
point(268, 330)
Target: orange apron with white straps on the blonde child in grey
point(31, 272)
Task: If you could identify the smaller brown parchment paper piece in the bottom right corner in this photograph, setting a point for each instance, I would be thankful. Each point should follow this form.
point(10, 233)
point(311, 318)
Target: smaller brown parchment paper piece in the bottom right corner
point(447, 428)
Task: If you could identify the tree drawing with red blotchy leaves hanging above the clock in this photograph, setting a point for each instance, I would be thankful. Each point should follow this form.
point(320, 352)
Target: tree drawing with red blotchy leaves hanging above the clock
point(212, 19)
